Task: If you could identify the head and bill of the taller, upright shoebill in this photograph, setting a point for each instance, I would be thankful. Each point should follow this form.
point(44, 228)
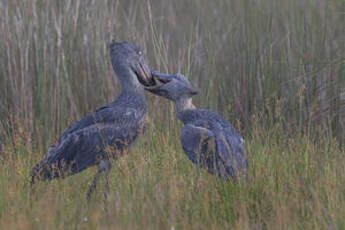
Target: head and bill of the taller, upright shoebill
point(129, 64)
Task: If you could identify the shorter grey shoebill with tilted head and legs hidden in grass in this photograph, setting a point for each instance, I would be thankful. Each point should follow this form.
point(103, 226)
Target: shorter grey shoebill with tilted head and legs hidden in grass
point(206, 137)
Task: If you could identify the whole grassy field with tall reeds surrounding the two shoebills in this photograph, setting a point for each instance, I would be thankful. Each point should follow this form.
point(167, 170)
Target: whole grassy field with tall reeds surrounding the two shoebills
point(274, 68)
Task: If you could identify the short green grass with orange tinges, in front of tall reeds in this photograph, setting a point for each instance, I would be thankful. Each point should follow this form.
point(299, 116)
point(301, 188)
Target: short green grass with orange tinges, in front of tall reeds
point(294, 183)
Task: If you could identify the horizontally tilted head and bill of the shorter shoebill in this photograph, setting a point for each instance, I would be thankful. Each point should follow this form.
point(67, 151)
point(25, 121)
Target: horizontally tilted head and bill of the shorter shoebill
point(173, 87)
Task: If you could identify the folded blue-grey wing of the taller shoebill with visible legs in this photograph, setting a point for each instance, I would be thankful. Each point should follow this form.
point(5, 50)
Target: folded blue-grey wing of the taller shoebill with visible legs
point(85, 143)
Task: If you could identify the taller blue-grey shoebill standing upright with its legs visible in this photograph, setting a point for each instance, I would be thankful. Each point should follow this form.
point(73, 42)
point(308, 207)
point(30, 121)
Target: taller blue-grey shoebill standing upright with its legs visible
point(113, 127)
